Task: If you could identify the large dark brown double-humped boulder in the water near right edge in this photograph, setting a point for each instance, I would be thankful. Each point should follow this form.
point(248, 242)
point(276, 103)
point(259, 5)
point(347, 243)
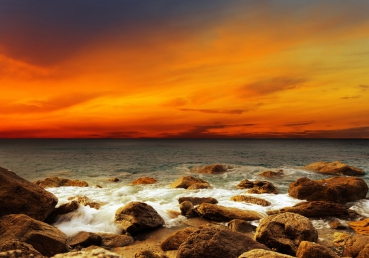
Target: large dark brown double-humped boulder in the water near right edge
point(335, 189)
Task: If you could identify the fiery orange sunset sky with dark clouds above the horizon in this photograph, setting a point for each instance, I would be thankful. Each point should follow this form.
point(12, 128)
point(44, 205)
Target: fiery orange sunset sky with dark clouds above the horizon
point(184, 69)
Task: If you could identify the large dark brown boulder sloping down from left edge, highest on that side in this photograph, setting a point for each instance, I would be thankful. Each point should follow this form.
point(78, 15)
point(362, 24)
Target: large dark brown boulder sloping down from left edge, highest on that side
point(18, 196)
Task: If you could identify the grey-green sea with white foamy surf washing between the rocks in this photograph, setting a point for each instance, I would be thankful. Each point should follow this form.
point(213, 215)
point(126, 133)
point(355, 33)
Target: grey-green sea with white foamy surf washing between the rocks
point(166, 160)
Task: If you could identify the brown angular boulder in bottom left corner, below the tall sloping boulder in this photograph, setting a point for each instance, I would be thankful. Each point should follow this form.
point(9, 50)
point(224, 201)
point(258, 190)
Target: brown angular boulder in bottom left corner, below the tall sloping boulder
point(46, 239)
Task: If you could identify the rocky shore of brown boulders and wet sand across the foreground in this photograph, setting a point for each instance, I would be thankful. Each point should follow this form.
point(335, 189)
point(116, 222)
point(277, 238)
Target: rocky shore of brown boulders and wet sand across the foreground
point(28, 211)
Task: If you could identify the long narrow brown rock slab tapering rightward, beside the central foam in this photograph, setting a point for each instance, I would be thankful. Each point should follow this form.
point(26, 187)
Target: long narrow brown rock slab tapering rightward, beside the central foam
point(221, 213)
